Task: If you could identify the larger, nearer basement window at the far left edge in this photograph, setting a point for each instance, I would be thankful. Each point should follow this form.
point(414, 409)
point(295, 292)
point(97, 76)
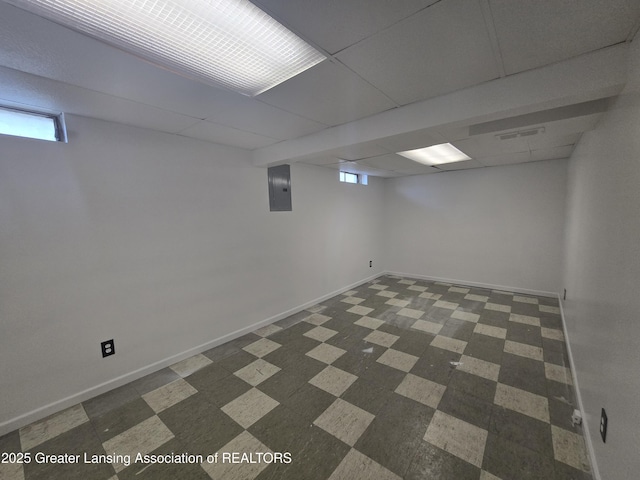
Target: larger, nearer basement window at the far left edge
point(38, 125)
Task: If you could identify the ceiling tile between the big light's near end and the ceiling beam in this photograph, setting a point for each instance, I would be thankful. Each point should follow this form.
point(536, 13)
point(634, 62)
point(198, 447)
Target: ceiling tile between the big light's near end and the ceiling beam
point(327, 93)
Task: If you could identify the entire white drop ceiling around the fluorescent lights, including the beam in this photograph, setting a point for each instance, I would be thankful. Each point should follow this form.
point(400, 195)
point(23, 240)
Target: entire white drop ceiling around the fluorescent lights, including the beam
point(399, 76)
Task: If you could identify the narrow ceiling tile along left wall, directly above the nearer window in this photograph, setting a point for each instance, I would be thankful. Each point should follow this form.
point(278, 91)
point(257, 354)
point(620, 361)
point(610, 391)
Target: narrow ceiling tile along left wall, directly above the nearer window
point(31, 91)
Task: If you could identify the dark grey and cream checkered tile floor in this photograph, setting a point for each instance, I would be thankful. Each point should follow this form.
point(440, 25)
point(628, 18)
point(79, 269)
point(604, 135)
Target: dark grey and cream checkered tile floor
point(397, 378)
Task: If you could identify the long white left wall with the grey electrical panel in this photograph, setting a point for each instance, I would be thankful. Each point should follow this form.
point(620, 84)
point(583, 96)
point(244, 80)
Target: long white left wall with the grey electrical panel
point(161, 242)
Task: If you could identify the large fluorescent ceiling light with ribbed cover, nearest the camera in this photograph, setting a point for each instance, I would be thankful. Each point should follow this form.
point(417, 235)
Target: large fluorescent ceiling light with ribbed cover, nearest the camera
point(228, 43)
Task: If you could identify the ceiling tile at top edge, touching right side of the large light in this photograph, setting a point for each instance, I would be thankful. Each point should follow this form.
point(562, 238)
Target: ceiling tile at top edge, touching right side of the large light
point(335, 25)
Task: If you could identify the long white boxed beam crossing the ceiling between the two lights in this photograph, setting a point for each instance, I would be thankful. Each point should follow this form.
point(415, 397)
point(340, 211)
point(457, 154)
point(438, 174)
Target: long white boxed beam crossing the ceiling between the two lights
point(591, 76)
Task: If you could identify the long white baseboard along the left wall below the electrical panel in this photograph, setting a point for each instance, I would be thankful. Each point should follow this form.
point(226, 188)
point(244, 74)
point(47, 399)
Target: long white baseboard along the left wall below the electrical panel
point(59, 405)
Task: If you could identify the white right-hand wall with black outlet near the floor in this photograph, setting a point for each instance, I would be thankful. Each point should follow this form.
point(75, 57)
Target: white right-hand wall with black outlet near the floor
point(602, 275)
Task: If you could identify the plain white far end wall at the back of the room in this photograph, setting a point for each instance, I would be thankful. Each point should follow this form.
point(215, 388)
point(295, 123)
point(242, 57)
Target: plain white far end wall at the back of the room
point(500, 226)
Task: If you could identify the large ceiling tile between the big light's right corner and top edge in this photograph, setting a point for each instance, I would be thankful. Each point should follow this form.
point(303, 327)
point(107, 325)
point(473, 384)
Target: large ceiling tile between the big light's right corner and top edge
point(443, 48)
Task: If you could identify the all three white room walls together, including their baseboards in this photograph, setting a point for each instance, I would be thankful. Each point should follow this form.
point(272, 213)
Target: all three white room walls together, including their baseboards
point(167, 245)
